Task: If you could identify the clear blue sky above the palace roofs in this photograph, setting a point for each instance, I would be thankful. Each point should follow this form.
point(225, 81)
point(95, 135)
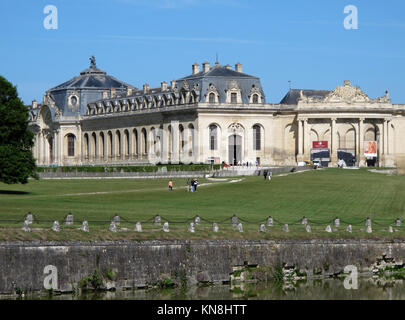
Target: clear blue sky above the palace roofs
point(140, 41)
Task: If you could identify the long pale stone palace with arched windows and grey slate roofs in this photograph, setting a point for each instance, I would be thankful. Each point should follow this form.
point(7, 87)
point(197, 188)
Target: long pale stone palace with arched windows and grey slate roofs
point(217, 114)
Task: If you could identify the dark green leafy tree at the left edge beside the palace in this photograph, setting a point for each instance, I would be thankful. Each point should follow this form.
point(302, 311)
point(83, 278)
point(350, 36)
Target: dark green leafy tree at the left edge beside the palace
point(17, 163)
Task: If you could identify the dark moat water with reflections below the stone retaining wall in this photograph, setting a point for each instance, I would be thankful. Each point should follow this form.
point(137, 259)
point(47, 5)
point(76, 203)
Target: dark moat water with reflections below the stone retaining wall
point(325, 289)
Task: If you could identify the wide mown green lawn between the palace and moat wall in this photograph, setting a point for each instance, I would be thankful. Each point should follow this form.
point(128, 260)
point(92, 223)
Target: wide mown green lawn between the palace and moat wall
point(319, 195)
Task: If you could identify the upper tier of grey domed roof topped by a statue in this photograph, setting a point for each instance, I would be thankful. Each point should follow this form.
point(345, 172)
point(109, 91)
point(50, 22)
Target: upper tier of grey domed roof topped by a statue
point(92, 78)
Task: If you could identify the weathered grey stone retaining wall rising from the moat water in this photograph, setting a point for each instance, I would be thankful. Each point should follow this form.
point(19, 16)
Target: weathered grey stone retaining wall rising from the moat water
point(140, 264)
